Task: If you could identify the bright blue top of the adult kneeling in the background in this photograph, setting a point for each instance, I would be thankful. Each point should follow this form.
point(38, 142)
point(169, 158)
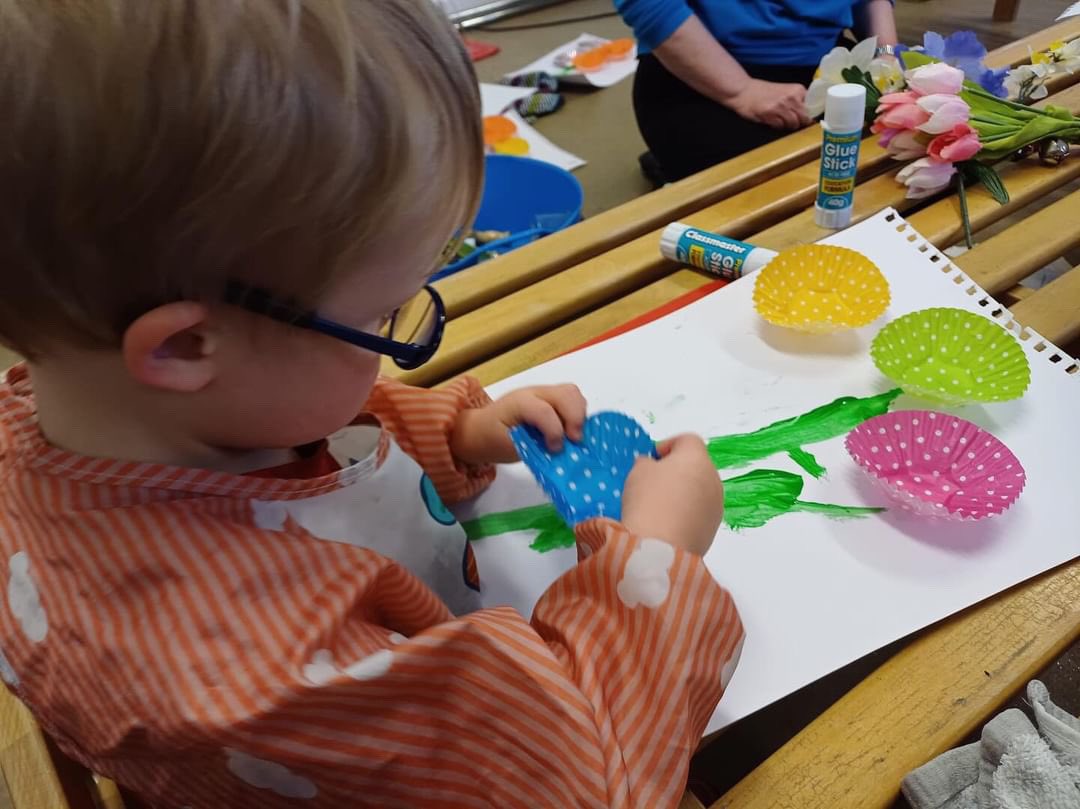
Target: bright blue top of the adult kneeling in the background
point(754, 32)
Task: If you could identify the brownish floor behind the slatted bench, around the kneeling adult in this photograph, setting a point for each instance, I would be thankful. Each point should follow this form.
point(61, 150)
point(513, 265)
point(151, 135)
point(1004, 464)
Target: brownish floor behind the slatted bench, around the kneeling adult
point(599, 125)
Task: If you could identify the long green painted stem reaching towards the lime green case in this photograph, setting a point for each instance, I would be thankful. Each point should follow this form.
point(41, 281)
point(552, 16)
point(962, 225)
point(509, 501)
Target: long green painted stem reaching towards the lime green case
point(791, 436)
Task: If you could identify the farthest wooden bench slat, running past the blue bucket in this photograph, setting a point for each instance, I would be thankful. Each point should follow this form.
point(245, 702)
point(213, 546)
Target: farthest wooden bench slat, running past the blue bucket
point(495, 279)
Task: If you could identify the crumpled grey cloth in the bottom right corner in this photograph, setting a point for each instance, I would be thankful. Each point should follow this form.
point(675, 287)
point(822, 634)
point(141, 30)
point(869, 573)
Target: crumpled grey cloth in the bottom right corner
point(1016, 765)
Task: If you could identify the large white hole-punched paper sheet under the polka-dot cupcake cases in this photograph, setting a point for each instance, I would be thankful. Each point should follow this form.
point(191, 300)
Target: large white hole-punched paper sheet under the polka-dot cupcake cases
point(815, 595)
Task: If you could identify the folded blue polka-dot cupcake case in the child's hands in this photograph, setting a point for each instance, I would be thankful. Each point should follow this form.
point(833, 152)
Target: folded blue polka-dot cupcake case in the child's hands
point(586, 480)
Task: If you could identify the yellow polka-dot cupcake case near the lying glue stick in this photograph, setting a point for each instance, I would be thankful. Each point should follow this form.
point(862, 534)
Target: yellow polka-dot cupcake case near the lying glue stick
point(821, 289)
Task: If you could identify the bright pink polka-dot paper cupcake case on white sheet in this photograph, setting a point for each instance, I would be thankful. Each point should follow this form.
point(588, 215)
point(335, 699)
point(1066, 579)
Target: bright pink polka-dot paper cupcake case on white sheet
point(937, 465)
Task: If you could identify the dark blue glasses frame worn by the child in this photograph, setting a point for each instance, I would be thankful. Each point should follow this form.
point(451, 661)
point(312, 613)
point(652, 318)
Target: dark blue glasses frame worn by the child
point(407, 356)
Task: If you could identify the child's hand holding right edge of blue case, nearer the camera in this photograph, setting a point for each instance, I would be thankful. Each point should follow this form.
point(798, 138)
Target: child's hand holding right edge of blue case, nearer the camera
point(679, 498)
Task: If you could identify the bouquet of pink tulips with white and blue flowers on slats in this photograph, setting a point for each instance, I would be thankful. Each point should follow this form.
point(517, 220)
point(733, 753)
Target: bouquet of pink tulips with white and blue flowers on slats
point(940, 106)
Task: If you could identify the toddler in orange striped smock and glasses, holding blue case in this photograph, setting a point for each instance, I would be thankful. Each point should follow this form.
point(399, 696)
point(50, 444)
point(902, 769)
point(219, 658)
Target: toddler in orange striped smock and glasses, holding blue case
point(232, 578)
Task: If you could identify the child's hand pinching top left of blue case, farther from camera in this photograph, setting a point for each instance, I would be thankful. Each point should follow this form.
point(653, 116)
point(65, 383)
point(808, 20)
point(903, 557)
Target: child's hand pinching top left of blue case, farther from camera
point(482, 436)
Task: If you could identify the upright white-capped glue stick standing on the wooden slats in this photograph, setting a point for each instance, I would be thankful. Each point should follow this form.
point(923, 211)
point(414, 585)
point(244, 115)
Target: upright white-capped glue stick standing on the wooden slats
point(845, 112)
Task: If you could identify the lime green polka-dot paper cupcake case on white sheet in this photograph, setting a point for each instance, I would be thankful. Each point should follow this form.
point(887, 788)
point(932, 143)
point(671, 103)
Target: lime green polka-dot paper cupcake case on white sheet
point(952, 356)
